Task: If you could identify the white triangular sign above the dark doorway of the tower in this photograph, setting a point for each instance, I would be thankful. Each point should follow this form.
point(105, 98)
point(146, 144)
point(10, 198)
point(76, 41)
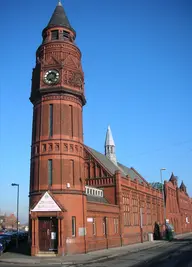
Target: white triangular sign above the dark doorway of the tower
point(46, 203)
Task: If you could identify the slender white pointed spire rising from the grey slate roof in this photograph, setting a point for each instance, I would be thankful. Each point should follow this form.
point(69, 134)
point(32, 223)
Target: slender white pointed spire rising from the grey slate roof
point(110, 146)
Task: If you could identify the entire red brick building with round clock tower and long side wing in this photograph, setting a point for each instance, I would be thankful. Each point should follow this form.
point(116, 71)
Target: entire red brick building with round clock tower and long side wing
point(80, 199)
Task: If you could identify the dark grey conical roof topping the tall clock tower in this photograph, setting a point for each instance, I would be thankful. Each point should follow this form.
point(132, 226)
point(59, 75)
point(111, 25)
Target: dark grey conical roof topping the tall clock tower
point(59, 18)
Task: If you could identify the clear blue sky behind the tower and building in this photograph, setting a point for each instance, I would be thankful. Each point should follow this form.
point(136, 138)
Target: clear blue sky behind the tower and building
point(137, 60)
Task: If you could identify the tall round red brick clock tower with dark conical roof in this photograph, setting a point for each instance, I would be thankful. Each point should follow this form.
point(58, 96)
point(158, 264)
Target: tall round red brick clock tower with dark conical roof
point(57, 198)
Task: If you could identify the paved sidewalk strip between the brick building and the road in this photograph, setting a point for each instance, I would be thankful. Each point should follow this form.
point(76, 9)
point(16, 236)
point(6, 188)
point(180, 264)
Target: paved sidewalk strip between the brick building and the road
point(89, 258)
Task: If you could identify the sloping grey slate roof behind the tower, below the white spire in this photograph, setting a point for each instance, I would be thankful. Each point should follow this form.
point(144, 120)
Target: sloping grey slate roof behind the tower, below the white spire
point(111, 167)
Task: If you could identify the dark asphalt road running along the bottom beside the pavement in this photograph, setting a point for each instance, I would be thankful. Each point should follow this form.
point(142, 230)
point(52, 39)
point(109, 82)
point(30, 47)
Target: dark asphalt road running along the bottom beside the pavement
point(175, 254)
